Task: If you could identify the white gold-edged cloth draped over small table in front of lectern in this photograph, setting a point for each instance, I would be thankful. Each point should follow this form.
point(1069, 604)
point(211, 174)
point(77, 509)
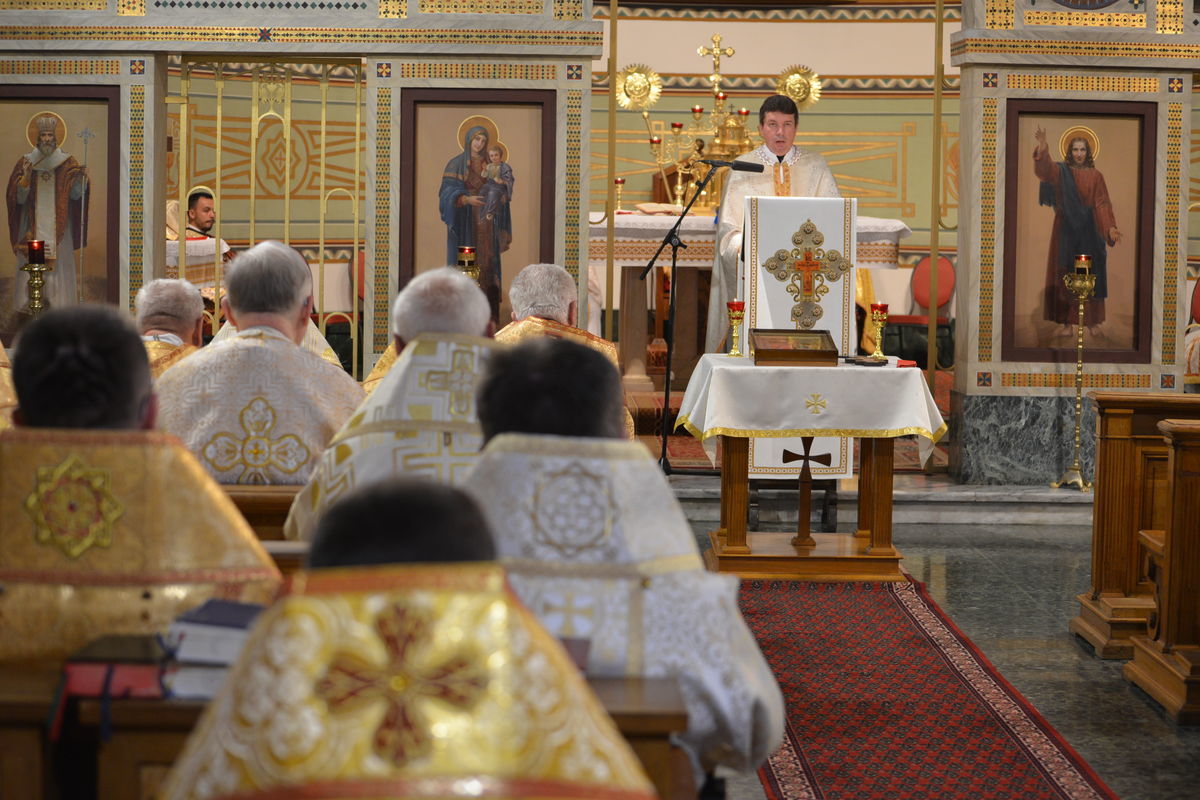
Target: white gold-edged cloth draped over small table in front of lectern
point(735, 398)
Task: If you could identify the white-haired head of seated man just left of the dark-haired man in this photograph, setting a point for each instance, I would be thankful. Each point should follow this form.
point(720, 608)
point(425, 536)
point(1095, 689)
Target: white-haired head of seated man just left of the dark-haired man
point(441, 302)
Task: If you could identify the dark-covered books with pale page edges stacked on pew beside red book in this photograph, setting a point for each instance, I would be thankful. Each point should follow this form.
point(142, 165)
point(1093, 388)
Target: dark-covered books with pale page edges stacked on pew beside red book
point(203, 645)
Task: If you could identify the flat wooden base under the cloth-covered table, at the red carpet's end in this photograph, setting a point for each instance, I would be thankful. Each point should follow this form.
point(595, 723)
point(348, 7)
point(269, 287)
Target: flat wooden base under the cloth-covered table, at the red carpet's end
point(837, 557)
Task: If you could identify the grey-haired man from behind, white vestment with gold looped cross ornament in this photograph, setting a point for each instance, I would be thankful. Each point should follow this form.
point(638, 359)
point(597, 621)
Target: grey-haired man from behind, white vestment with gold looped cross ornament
point(257, 408)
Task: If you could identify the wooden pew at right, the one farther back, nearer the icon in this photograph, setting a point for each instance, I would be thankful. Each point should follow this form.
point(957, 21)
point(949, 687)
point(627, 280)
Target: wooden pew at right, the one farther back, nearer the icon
point(1131, 496)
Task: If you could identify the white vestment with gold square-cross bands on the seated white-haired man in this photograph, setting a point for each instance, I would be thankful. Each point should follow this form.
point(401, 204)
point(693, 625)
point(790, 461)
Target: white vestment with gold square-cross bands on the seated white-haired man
point(421, 420)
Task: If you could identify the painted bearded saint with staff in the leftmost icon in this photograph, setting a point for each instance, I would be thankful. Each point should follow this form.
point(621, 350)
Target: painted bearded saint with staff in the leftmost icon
point(47, 200)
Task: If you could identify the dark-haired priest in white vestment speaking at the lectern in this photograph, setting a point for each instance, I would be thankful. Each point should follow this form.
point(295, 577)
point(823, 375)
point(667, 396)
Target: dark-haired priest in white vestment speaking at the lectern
point(789, 172)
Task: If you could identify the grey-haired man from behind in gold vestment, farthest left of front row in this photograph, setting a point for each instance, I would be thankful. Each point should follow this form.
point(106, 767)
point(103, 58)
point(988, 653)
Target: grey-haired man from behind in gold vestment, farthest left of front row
point(171, 318)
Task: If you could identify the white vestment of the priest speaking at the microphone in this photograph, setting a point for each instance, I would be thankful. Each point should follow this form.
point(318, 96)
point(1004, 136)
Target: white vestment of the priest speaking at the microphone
point(801, 175)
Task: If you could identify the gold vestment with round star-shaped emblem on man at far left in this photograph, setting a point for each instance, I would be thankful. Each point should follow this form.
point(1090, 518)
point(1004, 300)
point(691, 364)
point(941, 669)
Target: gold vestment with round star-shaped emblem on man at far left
point(113, 532)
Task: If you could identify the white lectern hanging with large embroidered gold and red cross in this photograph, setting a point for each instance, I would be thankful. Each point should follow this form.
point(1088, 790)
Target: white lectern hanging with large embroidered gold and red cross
point(799, 273)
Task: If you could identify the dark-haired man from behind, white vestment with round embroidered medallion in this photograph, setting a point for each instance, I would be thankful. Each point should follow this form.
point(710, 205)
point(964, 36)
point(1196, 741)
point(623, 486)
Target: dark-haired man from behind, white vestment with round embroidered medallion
point(580, 515)
